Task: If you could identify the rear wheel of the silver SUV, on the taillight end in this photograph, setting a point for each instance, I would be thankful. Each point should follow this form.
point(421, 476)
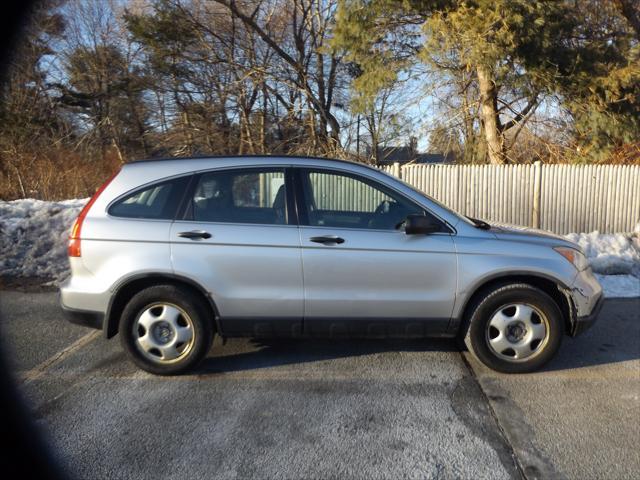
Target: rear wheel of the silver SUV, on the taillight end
point(166, 329)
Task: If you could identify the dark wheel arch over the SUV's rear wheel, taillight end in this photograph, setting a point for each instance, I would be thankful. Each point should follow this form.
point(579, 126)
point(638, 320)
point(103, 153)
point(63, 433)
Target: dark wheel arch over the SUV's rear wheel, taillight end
point(126, 289)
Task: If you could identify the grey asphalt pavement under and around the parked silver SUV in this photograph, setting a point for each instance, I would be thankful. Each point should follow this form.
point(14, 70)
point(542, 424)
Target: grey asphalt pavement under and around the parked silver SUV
point(320, 409)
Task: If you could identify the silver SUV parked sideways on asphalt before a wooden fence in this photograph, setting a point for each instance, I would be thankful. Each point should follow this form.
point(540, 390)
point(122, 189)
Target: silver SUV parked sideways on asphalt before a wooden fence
point(169, 253)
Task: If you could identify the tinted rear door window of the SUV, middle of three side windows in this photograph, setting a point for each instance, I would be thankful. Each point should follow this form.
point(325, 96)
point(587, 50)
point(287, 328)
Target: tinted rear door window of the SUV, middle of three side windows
point(241, 196)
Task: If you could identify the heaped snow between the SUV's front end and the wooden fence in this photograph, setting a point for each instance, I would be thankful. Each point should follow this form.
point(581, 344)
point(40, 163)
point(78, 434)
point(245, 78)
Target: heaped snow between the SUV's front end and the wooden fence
point(611, 254)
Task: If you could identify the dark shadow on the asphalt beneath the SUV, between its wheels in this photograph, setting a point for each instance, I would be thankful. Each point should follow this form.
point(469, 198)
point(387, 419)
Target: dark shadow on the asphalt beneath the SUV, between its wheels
point(280, 352)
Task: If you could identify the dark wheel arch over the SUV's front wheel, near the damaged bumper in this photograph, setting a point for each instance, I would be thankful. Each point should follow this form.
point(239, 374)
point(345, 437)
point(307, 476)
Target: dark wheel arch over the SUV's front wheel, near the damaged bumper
point(553, 287)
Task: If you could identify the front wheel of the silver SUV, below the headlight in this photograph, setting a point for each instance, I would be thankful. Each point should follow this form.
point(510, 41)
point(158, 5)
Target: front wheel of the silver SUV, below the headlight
point(514, 328)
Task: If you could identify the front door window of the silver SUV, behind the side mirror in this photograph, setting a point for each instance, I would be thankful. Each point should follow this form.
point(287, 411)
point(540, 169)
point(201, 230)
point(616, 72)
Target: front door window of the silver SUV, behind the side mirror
point(335, 199)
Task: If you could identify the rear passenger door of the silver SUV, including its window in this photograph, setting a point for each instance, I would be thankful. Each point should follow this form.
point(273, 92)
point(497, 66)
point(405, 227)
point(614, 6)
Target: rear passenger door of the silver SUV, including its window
point(238, 238)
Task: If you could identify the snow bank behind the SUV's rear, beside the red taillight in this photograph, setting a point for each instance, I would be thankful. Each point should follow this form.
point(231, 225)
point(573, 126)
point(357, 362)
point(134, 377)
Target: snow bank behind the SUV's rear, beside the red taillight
point(33, 237)
